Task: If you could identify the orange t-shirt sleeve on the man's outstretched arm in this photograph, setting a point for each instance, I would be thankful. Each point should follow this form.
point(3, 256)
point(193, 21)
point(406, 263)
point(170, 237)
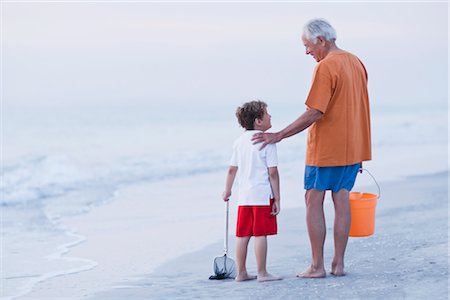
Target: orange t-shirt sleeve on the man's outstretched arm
point(321, 90)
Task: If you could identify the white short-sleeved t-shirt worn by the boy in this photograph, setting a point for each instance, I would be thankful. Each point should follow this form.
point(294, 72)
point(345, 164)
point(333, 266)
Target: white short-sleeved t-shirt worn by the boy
point(253, 173)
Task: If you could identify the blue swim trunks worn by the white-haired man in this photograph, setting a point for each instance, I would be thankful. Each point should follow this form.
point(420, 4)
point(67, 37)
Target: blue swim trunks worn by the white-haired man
point(331, 178)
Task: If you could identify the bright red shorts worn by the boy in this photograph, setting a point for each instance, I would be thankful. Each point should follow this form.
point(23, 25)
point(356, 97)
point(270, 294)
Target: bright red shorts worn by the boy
point(256, 220)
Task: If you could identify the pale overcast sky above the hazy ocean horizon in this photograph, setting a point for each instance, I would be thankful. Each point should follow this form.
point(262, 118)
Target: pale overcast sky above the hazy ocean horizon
point(104, 52)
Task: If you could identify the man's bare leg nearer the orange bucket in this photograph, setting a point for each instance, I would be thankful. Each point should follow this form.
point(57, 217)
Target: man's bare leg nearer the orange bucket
point(342, 219)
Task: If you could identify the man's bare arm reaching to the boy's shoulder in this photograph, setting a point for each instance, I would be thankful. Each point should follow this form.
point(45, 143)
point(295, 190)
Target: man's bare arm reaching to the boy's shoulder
point(304, 121)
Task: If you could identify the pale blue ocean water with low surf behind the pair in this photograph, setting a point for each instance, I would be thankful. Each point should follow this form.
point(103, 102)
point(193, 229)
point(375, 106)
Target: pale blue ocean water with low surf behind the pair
point(60, 161)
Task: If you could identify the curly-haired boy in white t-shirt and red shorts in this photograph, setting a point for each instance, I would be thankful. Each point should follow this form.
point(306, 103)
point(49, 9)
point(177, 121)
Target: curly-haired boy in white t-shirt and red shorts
point(259, 191)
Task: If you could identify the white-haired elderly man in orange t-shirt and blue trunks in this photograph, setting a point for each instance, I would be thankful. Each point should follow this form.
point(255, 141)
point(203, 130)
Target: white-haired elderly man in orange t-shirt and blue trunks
point(339, 140)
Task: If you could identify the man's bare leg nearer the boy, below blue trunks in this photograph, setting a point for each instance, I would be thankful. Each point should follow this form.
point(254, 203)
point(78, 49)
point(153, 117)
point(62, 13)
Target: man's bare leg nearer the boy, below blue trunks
point(315, 220)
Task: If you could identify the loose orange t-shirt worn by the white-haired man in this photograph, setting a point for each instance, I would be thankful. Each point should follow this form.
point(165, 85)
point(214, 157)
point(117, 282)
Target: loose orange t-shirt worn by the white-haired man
point(339, 90)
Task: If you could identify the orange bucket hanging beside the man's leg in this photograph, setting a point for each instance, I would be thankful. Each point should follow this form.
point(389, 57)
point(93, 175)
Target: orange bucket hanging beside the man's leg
point(362, 207)
